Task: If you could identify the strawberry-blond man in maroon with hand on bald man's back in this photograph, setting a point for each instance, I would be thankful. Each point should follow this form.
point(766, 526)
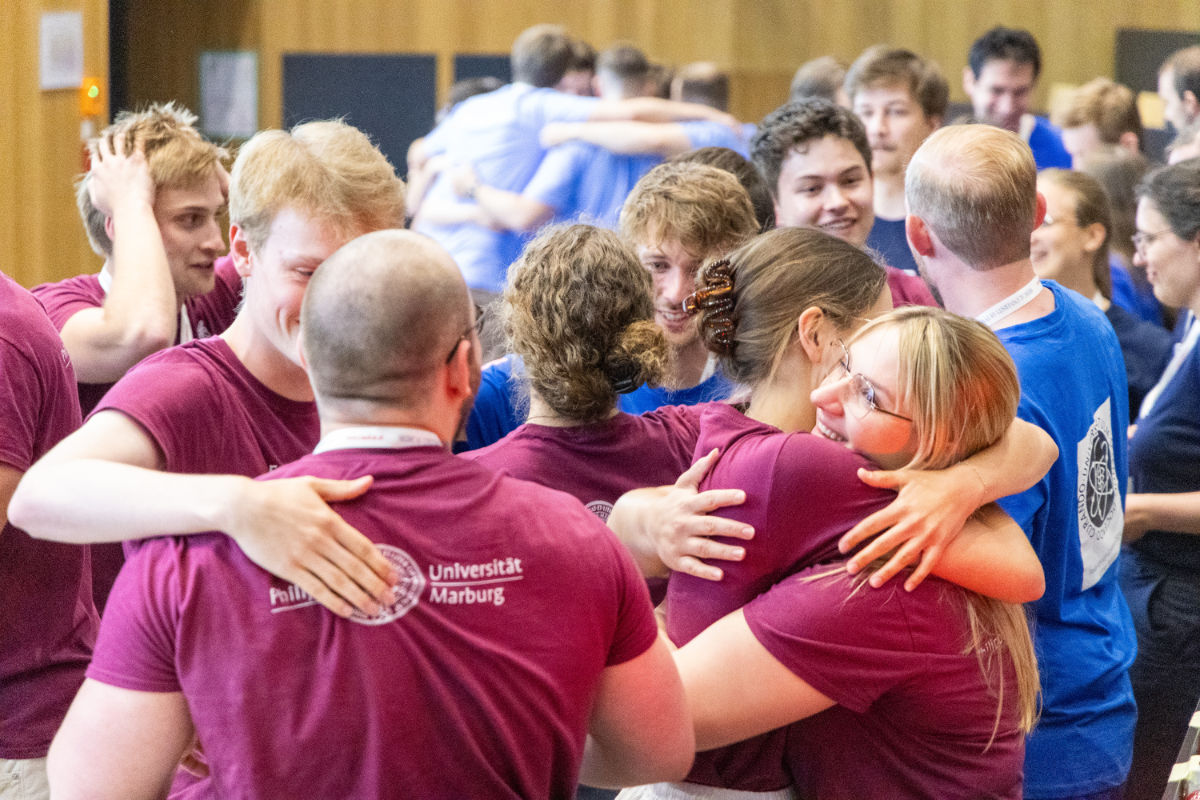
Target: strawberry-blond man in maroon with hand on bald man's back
point(173, 447)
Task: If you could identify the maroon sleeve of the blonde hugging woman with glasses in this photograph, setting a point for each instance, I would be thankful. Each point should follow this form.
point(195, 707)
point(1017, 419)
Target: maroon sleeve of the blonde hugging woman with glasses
point(850, 642)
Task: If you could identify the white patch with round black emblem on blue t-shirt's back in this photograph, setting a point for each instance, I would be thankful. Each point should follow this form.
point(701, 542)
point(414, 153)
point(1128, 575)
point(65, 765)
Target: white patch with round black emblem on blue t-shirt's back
point(1099, 498)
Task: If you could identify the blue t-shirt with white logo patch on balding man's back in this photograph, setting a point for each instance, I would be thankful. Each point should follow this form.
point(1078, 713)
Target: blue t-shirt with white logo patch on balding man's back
point(1075, 389)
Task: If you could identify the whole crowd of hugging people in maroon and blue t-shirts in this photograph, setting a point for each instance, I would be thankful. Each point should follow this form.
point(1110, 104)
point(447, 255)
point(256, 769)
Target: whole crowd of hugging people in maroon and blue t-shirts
point(795, 476)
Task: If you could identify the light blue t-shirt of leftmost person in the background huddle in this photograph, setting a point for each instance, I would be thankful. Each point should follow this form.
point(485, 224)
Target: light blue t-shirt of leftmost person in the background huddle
point(497, 134)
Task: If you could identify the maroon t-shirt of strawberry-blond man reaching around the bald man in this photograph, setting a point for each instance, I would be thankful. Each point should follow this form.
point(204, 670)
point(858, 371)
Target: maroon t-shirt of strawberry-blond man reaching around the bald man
point(208, 414)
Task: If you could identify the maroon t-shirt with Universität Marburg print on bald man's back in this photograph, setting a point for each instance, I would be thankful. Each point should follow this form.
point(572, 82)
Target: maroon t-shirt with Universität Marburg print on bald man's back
point(478, 683)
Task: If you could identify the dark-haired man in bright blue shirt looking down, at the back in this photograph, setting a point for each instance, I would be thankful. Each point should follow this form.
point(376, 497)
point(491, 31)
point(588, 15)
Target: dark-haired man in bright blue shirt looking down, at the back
point(1003, 69)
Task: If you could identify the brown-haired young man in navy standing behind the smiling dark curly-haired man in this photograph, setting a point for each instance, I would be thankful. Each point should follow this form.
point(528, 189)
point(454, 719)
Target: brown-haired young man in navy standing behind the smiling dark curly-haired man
point(902, 99)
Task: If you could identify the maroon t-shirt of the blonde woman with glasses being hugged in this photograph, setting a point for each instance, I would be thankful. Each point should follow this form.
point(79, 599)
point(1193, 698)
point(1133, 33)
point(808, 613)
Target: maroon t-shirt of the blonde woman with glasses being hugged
point(915, 713)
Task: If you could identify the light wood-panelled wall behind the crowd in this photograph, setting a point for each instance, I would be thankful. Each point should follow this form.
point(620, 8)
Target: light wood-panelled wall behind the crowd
point(760, 41)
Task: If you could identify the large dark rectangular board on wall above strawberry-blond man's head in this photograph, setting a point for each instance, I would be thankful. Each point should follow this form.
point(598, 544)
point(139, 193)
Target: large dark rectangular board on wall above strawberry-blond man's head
point(389, 98)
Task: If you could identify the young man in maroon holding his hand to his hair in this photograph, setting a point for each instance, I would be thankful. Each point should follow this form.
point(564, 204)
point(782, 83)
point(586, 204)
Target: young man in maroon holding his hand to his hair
point(161, 188)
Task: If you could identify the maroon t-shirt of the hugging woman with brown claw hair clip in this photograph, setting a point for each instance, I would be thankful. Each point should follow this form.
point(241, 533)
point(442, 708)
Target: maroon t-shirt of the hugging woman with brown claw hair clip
point(802, 495)
